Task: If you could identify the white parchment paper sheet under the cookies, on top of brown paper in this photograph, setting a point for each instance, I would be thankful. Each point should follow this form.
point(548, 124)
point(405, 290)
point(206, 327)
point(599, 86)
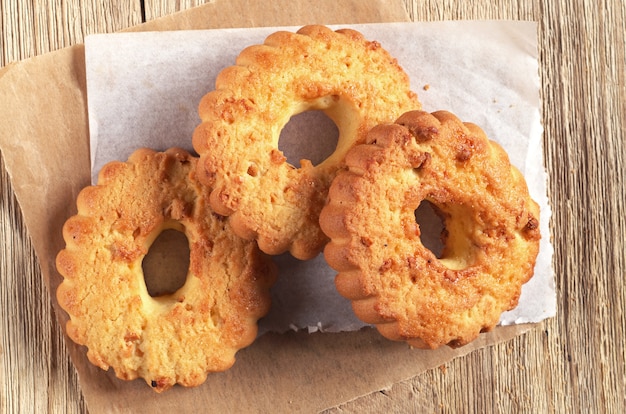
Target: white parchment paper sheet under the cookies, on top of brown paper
point(144, 88)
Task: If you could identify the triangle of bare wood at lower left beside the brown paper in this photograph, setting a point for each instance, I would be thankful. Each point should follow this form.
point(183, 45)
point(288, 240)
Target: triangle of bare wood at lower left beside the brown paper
point(36, 374)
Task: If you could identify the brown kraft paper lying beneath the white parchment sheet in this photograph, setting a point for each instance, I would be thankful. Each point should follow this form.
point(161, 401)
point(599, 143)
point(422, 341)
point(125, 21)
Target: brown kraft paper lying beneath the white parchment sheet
point(44, 141)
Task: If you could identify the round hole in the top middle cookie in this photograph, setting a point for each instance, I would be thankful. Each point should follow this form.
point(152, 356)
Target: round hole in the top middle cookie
point(309, 135)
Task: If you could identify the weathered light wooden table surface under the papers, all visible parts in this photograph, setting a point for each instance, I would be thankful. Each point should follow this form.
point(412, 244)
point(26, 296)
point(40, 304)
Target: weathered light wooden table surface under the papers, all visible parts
point(572, 363)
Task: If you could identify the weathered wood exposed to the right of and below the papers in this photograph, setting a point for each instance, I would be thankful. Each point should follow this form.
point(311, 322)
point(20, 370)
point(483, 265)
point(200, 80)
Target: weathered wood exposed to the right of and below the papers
point(574, 363)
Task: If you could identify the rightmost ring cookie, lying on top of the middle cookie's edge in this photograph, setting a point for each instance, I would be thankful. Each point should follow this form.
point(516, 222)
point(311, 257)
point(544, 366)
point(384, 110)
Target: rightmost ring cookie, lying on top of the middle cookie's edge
point(491, 236)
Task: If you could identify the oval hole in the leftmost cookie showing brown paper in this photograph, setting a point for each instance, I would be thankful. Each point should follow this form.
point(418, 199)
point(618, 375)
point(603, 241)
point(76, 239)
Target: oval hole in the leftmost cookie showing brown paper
point(166, 265)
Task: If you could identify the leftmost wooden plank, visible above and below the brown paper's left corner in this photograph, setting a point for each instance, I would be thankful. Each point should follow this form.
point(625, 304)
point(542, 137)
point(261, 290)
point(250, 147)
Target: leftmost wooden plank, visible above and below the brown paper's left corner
point(36, 374)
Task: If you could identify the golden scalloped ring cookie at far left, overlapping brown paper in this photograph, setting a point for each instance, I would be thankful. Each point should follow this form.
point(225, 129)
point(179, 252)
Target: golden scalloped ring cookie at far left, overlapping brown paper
point(176, 338)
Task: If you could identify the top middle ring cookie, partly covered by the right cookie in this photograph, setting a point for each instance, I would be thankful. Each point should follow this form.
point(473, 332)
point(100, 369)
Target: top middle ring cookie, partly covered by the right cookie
point(355, 82)
